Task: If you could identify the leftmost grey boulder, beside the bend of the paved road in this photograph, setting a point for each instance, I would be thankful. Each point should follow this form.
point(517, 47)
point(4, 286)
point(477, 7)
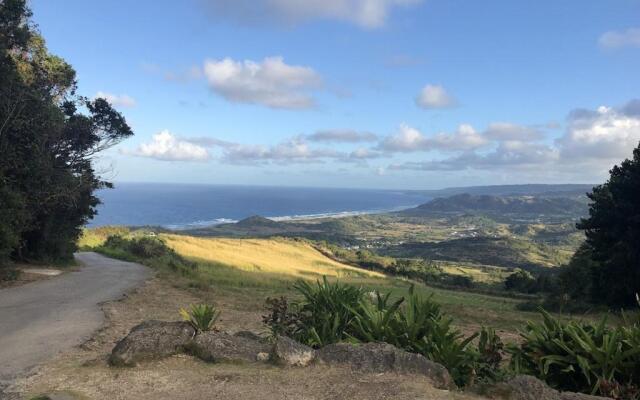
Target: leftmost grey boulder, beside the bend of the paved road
point(151, 340)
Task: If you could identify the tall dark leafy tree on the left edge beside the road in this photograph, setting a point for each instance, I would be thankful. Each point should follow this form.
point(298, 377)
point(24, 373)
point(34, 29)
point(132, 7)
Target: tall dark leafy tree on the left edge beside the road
point(48, 137)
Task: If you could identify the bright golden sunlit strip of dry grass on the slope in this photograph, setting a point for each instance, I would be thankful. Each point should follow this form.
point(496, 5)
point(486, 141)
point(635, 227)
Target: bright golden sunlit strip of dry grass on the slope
point(275, 256)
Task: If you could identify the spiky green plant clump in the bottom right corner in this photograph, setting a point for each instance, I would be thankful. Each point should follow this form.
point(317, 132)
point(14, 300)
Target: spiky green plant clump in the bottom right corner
point(580, 356)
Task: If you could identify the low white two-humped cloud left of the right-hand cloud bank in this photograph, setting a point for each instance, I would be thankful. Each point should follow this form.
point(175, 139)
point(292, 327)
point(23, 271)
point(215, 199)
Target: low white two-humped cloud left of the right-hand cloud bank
point(409, 139)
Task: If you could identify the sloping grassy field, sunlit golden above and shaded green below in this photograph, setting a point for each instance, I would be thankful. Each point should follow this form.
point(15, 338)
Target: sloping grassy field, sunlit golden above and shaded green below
point(250, 270)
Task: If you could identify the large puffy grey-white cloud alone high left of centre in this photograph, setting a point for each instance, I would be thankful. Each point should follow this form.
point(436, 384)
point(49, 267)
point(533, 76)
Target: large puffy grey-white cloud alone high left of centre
point(271, 83)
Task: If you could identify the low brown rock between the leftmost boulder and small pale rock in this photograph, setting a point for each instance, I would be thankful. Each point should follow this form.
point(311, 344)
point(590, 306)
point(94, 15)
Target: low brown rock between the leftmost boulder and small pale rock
point(221, 346)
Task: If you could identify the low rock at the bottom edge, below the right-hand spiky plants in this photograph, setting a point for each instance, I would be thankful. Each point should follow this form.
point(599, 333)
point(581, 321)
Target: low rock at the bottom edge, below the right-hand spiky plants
point(525, 387)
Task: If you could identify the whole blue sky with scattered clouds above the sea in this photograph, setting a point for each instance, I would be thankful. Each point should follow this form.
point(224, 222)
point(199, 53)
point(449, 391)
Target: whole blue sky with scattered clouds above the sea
point(359, 93)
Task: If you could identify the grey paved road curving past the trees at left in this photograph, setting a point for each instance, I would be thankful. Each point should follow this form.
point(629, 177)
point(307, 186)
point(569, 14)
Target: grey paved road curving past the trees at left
point(40, 319)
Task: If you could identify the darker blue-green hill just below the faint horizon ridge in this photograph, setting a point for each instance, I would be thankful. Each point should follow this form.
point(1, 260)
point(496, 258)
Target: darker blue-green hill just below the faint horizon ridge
point(505, 205)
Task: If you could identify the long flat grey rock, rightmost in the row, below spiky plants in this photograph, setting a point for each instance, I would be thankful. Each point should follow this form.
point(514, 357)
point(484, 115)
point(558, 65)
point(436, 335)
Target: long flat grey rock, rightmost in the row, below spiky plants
point(383, 357)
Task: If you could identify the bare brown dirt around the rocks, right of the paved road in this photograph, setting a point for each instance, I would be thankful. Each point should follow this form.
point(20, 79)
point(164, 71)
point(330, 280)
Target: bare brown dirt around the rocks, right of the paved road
point(84, 371)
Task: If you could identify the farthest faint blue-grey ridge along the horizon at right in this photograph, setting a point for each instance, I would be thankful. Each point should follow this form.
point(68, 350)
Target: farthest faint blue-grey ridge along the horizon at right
point(514, 190)
